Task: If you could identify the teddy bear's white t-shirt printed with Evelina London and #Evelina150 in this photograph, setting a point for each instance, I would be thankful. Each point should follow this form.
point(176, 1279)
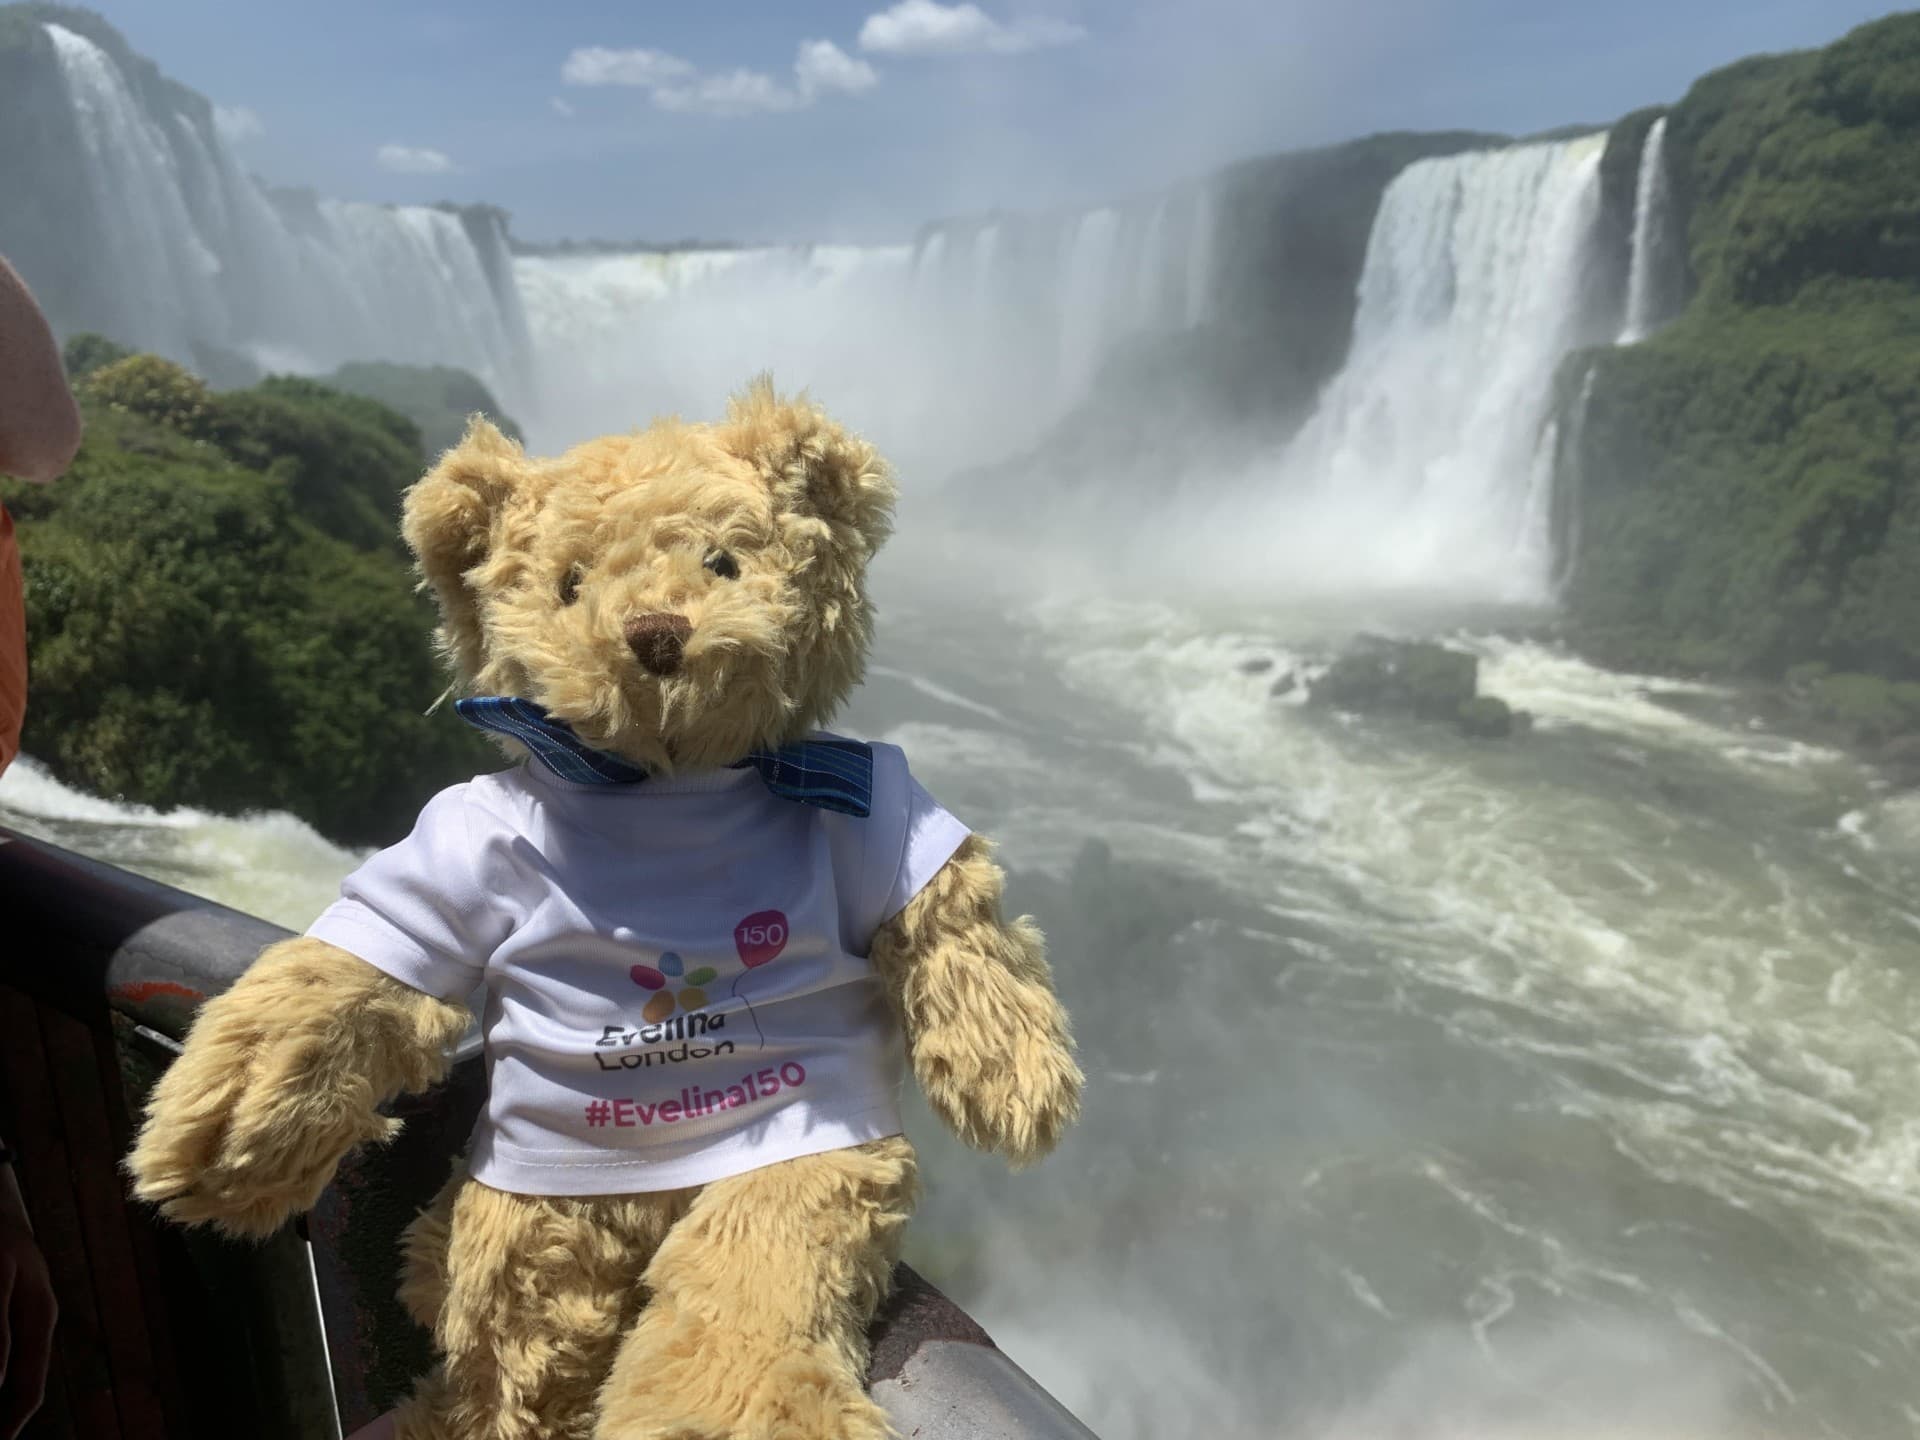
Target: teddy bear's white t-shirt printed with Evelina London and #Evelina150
point(677, 978)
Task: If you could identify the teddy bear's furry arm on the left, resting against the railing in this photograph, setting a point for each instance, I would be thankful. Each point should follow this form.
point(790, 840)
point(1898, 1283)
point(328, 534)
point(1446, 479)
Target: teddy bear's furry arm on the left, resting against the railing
point(279, 1080)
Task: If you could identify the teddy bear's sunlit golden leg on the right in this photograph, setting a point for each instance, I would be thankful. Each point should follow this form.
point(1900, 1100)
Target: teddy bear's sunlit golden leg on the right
point(759, 1305)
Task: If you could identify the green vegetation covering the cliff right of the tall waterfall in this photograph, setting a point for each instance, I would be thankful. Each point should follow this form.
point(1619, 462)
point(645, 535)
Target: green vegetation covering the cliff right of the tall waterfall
point(1748, 483)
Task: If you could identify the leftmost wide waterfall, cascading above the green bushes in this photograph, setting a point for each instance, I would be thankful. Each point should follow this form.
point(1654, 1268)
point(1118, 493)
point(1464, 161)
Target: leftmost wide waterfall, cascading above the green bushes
point(197, 254)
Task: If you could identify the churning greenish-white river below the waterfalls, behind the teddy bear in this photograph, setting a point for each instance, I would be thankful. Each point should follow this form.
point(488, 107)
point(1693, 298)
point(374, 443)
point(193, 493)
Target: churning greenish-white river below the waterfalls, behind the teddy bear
point(1552, 1088)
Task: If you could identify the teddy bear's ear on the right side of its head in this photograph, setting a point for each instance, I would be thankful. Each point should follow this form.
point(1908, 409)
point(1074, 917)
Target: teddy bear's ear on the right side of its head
point(811, 464)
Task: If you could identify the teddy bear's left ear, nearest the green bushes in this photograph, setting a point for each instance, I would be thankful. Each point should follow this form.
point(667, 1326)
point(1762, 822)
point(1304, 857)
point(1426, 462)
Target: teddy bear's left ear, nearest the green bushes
point(452, 517)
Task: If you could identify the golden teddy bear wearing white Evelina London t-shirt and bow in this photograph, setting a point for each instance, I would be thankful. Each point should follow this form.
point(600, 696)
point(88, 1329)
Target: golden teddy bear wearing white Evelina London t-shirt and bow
point(706, 938)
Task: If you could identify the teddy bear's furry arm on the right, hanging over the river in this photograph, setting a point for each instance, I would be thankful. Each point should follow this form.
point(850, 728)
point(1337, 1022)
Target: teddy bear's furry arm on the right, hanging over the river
point(986, 1034)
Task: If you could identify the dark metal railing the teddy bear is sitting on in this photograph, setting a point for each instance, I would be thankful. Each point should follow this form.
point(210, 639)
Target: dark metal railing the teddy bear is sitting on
point(170, 1333)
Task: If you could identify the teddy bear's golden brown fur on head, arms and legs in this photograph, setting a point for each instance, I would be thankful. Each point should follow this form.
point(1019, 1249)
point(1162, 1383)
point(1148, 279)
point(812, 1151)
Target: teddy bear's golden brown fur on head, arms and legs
point(727, 1312)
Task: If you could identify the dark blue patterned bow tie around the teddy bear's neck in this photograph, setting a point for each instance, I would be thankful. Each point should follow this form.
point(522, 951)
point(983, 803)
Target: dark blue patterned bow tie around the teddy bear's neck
point(836, 775)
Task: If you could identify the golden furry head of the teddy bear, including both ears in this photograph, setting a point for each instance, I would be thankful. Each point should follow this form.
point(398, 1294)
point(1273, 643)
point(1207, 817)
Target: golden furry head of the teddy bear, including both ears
point(679, 596)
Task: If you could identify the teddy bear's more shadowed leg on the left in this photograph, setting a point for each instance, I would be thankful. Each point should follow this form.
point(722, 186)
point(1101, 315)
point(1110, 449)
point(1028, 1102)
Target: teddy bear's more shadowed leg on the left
point(527, 1299)
